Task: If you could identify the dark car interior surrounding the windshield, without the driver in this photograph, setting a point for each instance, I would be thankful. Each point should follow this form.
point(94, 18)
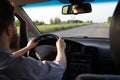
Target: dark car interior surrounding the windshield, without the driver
point(85, 55)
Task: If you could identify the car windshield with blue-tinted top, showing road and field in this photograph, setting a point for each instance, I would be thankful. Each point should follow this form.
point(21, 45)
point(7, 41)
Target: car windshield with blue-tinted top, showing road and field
point(48, 18)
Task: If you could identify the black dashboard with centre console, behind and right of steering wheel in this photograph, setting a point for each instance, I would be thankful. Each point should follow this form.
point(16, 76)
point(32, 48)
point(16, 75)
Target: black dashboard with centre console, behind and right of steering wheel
point(84, 55)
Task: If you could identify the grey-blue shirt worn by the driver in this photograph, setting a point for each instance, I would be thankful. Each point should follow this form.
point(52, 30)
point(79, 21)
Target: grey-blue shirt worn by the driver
point(27, 68)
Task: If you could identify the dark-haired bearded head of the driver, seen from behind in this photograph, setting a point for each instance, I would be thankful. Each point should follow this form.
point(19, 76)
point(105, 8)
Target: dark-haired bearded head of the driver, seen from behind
point(7, 24)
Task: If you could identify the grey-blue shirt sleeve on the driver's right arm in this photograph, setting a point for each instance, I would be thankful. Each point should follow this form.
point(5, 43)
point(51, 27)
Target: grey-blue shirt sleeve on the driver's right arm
point(46, 70)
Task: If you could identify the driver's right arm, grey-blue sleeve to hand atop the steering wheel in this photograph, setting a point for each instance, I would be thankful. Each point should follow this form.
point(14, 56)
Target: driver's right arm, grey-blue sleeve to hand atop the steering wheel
point(52, 70)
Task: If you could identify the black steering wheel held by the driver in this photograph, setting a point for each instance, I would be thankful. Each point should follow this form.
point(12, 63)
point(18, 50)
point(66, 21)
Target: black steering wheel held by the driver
point(36, 52)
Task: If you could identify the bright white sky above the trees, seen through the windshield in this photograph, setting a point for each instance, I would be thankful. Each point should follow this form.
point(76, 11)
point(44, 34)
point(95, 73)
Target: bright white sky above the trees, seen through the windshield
point(100, 13)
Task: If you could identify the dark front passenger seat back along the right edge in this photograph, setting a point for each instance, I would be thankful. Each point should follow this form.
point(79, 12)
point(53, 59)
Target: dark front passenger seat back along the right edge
point(115, 37)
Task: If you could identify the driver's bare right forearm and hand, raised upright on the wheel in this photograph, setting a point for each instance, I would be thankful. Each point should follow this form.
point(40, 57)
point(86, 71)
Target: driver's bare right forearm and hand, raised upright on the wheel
point(61, 45)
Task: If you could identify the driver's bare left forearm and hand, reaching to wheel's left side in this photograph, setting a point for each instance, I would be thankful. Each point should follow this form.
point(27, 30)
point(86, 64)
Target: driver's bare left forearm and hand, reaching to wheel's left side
point(22, 51)
